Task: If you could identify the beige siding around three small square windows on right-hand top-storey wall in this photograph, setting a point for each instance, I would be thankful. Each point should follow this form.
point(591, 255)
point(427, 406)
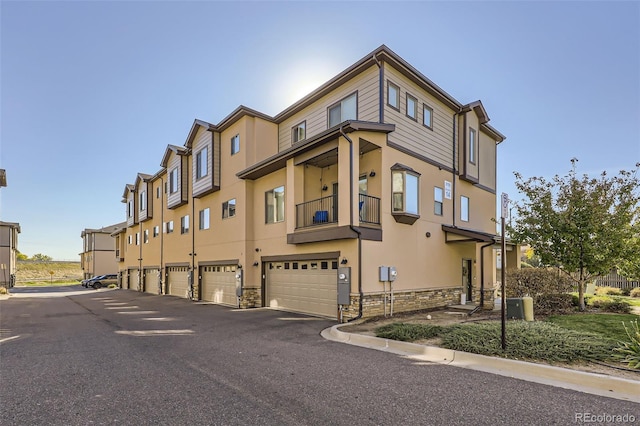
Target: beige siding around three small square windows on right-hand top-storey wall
point(413, 135)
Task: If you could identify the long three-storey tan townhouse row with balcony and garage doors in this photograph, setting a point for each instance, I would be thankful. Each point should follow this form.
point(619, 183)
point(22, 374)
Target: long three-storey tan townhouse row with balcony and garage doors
point(378, 167)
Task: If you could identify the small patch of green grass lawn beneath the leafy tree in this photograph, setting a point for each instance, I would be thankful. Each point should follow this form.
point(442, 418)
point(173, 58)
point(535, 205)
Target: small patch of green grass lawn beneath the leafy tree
point(607, 325)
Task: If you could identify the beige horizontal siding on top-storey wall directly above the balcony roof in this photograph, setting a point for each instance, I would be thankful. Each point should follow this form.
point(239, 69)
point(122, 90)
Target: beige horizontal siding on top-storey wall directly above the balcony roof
point(315, 115)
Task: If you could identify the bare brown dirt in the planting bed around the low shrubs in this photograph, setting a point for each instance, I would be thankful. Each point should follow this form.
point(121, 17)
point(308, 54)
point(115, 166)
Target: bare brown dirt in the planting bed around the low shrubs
point(450, 317)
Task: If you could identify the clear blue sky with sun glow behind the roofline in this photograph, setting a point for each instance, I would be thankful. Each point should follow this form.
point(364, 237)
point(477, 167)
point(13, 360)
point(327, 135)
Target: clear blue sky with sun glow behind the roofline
point(92, 92)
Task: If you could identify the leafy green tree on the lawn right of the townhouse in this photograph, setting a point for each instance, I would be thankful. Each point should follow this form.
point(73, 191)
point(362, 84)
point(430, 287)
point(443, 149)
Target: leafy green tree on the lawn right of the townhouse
point(580, 224)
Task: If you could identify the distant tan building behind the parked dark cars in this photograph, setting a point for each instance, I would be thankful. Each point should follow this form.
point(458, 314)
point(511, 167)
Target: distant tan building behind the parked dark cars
point(98, 249)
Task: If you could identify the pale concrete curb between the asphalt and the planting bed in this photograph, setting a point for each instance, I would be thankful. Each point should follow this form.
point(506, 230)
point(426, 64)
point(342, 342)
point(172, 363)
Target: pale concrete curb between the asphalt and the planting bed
point(592, 383)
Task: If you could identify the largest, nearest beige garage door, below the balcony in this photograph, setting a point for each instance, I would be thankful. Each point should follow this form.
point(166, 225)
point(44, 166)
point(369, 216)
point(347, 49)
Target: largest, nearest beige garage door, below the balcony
point(308, 286)
